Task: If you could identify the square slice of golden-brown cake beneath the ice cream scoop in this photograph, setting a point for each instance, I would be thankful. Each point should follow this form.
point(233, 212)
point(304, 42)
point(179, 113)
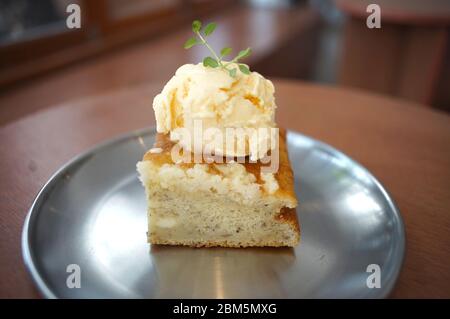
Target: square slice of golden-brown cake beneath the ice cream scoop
point(228, 204)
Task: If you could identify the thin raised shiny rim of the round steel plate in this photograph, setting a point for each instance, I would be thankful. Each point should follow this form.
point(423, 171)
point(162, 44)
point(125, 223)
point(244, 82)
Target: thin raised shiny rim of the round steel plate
point(45, 290)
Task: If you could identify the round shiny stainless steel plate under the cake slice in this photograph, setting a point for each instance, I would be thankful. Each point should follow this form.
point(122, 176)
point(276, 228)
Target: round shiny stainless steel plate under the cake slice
point(92, 213)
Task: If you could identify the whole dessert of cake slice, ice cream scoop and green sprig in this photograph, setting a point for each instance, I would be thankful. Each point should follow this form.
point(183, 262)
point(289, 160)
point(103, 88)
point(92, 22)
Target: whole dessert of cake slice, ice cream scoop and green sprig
point(218, 173)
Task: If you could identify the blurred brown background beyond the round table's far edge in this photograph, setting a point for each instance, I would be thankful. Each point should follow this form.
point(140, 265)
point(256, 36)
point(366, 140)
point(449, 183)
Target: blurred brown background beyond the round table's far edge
point(125, 43)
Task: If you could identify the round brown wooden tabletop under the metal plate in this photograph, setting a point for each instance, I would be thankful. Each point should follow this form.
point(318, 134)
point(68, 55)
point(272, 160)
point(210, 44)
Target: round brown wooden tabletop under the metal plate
point(406, 146)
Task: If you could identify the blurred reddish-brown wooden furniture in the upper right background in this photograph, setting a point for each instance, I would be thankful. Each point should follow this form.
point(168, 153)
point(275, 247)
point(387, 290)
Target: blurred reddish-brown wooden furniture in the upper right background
point(407, 57)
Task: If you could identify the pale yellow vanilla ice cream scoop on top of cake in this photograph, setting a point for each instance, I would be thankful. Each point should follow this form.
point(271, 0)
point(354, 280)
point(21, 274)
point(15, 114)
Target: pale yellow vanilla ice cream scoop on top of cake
point(199, 99)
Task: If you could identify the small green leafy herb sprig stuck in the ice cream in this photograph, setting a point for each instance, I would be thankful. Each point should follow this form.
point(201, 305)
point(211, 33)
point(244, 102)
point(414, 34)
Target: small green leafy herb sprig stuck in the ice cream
point(216, 60)
